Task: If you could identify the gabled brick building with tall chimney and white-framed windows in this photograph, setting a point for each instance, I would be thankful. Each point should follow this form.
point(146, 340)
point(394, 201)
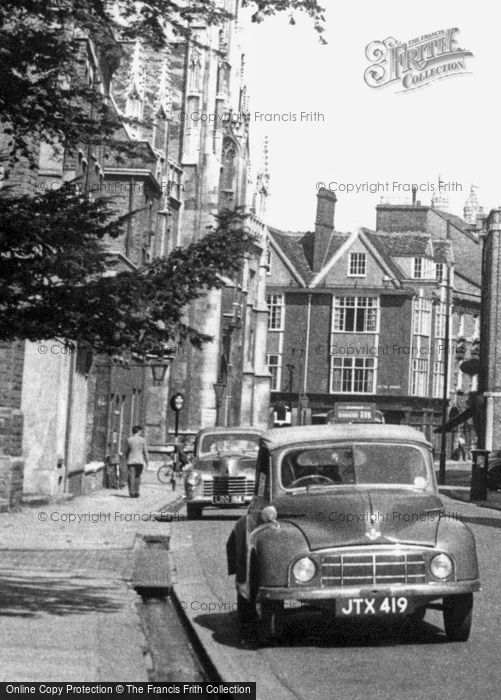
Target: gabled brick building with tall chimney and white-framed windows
point(360, 318)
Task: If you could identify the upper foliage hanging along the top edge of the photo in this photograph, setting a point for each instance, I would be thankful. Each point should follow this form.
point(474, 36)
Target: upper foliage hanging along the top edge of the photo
point(42, 91)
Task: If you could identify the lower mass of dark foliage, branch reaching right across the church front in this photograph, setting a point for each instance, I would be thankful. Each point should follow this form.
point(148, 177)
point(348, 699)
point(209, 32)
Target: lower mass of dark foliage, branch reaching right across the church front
point(52, 259)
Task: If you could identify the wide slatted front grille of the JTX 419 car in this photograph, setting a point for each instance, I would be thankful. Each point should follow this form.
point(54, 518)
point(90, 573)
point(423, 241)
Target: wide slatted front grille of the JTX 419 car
point(377, 568)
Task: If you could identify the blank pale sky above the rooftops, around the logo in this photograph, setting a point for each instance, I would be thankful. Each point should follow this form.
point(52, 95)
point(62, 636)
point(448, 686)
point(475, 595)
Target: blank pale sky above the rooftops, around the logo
point(372, 135)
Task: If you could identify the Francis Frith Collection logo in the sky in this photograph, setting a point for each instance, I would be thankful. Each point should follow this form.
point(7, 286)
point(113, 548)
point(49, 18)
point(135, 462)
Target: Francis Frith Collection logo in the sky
point(415, 63)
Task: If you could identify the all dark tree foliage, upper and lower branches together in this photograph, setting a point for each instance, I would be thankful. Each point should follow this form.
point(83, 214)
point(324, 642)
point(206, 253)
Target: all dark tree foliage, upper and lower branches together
point(52, 246)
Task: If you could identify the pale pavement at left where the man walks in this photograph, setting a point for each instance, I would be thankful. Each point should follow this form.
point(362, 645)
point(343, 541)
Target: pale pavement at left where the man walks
point(68, 610)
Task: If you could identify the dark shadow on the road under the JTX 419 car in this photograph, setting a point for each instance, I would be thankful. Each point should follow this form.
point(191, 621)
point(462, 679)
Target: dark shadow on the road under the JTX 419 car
point(316, 629)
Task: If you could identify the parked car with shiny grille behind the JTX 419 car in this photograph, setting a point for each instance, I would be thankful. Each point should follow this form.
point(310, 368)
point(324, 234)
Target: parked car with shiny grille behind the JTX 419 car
point(223, 471)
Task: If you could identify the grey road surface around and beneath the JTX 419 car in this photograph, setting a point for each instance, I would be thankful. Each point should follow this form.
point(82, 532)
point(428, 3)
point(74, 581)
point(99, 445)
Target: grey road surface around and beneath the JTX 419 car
point(320, 659)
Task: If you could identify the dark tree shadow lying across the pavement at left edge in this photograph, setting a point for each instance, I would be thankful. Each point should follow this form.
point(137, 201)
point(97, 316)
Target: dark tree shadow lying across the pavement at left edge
point(30, 596)
